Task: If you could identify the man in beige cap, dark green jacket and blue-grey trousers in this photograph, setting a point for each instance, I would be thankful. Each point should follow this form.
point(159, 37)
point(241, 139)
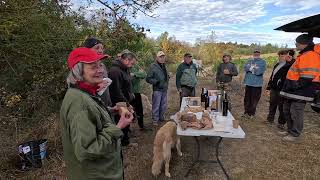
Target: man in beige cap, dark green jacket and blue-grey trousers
point(158, 76)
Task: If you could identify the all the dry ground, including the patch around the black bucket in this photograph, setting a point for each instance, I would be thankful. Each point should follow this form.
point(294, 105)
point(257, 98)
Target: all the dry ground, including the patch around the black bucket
point(261, 155)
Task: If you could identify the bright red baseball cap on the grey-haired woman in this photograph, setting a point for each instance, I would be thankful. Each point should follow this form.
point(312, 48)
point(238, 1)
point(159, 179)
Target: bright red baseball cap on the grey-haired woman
point(84, 55)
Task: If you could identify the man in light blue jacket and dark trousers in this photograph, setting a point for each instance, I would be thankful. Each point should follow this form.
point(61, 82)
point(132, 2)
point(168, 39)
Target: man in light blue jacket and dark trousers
point(253, 80)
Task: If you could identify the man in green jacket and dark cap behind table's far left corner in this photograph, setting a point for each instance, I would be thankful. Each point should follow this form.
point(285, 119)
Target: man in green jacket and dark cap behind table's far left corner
point(186, 77)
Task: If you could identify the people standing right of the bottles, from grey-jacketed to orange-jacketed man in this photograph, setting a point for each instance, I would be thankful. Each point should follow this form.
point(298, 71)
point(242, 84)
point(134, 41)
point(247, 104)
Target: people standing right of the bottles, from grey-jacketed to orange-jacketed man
point(292, 84)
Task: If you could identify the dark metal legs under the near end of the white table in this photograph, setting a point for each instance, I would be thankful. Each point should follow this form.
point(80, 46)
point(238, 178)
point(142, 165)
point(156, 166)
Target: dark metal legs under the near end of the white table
point(198, 160)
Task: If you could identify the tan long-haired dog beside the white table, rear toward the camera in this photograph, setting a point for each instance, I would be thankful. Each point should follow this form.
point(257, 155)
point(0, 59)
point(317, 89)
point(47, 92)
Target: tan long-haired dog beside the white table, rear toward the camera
point(165, 139)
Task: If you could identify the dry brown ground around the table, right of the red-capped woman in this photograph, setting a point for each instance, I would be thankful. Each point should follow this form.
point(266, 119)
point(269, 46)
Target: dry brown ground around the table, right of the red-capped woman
point(261, 155)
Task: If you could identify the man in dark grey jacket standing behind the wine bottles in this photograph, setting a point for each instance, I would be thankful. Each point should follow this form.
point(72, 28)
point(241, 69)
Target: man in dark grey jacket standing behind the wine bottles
point(225, 71)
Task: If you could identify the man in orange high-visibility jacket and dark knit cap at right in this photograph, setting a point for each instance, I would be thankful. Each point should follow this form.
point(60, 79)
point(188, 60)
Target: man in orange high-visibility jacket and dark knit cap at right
point(299, 88)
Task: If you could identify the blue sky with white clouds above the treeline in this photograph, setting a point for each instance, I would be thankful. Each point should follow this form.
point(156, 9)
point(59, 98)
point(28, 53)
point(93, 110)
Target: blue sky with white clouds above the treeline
point(242, 21)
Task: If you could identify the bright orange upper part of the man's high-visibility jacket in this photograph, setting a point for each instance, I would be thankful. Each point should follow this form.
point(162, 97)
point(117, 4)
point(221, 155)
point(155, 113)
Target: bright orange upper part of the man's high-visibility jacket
point(307, 65)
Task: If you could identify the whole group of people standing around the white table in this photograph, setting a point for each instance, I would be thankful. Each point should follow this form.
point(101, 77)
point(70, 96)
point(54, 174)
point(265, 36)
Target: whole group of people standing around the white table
point(94, 129)
